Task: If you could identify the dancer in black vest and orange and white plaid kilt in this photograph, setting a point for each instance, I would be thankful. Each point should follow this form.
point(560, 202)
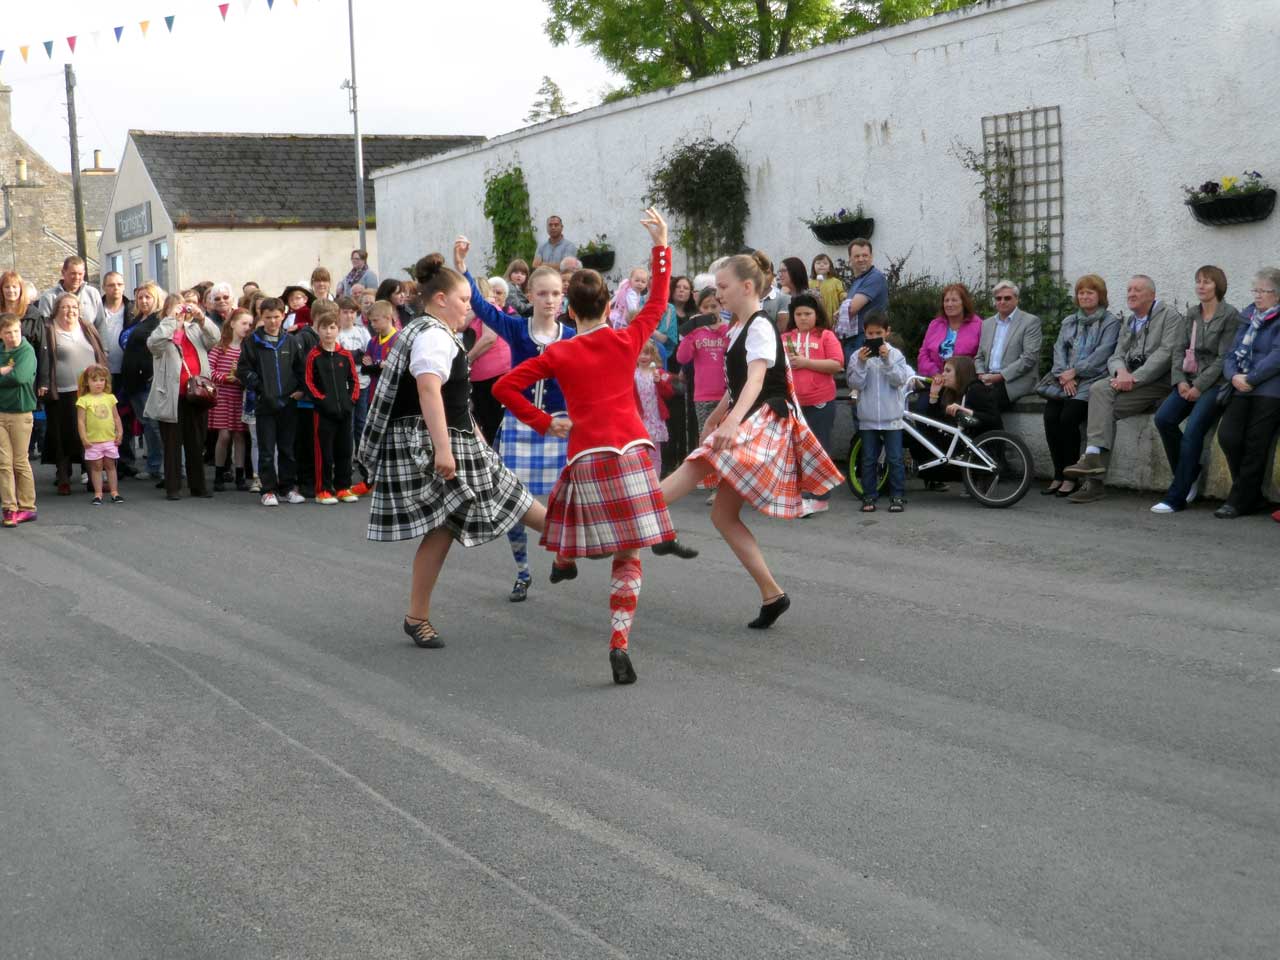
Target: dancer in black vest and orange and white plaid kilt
point(757, 447)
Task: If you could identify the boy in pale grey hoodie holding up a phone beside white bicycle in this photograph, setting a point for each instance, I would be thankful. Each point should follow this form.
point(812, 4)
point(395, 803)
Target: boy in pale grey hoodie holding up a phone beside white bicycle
point(883, 377)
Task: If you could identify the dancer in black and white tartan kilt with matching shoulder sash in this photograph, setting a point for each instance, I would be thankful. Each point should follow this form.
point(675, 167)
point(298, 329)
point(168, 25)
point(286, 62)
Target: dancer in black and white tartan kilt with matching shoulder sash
point(432, 473)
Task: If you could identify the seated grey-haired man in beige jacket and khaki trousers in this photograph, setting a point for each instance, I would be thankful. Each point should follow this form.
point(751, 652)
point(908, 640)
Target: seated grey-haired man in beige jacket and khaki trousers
point(1140, 381)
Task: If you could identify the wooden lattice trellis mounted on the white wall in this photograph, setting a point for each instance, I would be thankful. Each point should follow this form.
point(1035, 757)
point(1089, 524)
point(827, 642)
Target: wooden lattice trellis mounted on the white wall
point(1023, 170)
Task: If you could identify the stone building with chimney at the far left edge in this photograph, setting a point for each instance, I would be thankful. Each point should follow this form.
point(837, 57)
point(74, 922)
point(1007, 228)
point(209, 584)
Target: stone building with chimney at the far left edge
point(38, 228)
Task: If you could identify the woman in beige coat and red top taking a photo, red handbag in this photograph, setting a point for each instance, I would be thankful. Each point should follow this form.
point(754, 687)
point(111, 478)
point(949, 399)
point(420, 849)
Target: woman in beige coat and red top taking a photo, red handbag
point(182, 394)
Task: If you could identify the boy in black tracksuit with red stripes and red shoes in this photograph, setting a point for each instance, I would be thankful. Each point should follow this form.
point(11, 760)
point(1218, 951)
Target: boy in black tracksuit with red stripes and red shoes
point(332, 381)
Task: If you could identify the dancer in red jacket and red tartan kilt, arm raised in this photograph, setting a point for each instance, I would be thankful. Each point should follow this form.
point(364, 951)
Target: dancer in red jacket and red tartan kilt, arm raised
point(607, 501)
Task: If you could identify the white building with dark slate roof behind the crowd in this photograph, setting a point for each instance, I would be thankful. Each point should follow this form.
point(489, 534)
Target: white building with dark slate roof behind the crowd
point(246, 207)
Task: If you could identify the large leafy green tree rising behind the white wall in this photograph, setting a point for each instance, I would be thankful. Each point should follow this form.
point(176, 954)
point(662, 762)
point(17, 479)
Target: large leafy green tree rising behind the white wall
point(655, 44)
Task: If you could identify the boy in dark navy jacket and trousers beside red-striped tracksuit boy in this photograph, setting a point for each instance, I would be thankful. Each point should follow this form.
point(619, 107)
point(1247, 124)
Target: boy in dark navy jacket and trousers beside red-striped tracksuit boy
point(268, 367)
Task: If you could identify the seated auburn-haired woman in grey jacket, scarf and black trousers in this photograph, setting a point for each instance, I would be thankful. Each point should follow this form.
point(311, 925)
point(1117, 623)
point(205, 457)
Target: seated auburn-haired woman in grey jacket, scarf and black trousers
point(1085, 345)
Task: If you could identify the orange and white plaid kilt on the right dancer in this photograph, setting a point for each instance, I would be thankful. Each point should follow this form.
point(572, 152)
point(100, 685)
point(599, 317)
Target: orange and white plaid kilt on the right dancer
point(771, 463)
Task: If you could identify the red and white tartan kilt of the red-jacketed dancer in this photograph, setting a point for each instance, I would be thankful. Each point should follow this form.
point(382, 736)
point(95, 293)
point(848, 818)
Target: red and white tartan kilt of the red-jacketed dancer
point(607, 502)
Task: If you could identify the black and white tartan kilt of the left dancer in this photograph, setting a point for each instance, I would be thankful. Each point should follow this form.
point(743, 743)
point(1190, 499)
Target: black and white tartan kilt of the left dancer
point(481, 504)
